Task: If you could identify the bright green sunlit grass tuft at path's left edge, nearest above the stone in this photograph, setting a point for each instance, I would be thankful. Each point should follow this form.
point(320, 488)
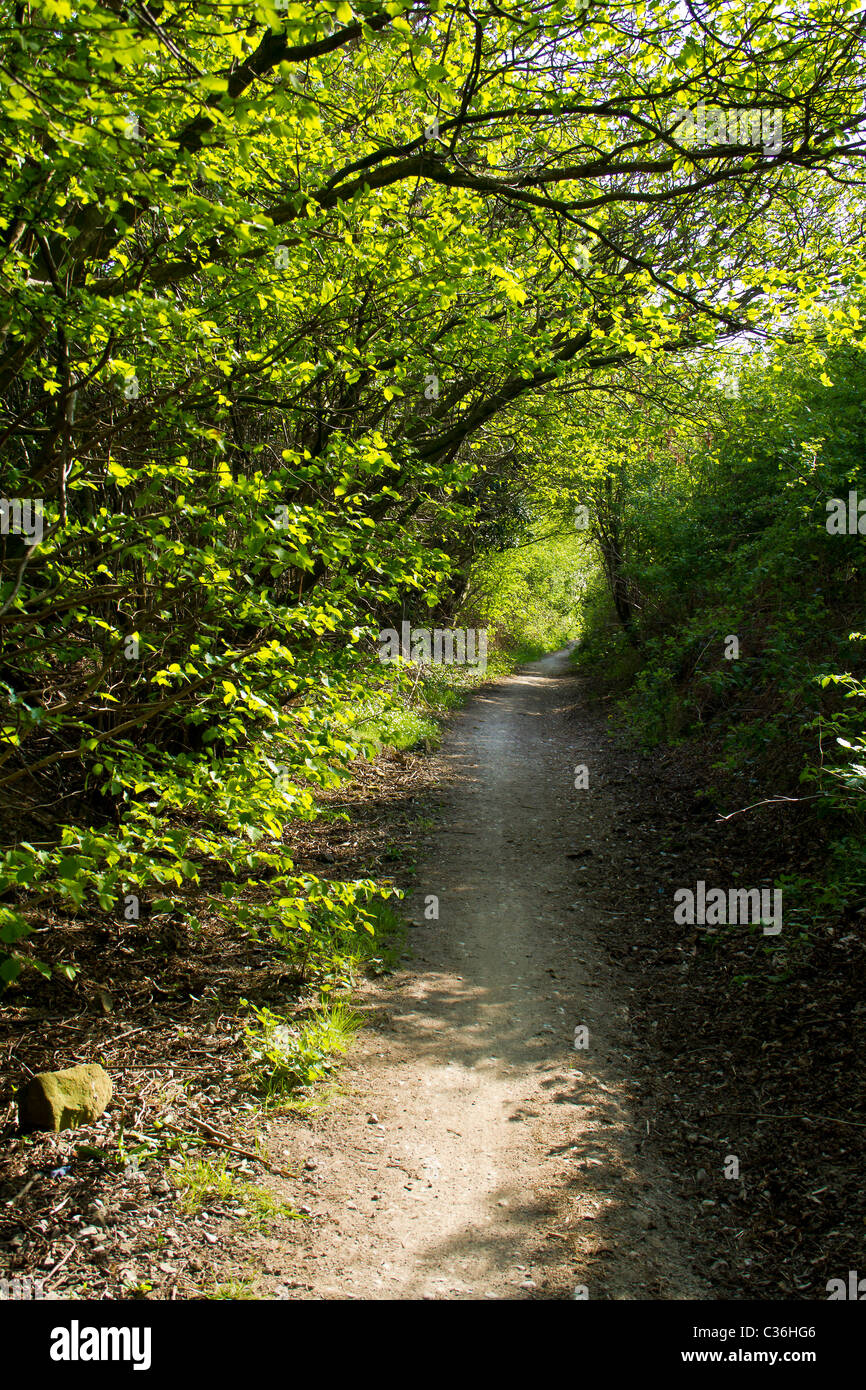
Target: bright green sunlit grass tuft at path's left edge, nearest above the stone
point(290, 1056)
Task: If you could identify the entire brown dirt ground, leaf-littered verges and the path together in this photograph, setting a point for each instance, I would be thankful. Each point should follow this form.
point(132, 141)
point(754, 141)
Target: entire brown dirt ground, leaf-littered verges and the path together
point(469, 1149)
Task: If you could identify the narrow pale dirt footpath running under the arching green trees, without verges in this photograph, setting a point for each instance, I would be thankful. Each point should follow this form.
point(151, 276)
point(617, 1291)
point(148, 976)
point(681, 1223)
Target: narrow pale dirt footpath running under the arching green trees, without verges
point(475, 1153)
